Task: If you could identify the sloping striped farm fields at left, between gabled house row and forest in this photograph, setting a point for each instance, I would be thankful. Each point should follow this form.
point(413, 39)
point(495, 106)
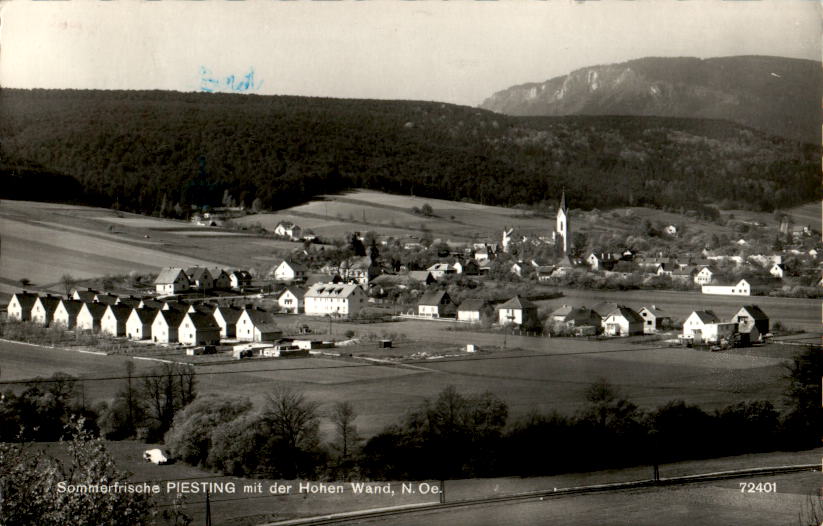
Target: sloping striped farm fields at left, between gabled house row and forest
point(44, 241)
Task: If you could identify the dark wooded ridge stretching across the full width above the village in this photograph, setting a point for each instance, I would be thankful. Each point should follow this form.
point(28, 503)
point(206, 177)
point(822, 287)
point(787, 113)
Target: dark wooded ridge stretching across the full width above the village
point(150, 151)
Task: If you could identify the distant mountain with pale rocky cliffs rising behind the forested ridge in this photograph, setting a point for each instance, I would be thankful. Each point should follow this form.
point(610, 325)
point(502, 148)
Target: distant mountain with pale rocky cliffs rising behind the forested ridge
point(778, 95)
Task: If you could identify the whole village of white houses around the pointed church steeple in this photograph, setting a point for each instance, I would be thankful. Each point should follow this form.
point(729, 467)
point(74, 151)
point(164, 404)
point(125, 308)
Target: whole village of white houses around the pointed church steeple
point(201, 308)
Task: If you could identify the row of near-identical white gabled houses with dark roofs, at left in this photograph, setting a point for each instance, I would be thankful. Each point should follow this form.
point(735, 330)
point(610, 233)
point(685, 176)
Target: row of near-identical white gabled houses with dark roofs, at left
point(171, 321)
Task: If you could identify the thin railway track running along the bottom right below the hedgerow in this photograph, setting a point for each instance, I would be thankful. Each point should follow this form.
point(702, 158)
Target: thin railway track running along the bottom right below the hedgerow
point(544, 494)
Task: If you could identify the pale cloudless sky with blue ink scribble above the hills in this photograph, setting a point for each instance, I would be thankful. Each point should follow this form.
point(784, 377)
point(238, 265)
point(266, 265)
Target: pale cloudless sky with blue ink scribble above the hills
point(457, 51)
